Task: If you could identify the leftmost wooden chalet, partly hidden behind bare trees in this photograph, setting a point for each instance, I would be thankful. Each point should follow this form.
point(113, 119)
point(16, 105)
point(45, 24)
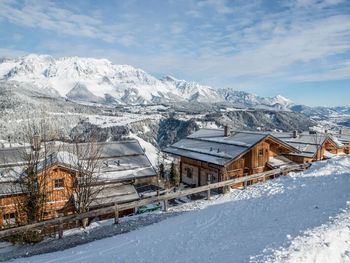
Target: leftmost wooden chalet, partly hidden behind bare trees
point(123, 167)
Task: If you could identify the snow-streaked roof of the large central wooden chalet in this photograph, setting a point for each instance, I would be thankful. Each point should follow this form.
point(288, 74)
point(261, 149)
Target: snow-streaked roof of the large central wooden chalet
point(210, 145)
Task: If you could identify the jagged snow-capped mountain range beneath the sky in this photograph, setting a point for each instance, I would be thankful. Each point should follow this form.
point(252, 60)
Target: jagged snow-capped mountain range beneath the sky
point(101, 81)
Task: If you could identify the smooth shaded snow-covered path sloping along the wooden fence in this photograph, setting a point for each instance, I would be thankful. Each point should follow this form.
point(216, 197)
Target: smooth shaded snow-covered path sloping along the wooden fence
point(244, 226)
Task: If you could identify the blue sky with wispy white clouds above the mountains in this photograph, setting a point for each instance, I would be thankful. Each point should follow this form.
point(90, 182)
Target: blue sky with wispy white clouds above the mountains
point(297, 48)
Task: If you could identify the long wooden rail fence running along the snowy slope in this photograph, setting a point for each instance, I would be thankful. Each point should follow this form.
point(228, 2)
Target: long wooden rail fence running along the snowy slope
point(115, 208)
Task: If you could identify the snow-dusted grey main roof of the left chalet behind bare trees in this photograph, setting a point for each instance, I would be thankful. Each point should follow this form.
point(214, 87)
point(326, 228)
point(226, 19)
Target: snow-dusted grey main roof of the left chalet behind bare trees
point(119, 161)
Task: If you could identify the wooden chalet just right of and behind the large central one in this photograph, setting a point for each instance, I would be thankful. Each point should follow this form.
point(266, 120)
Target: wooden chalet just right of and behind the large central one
point(312, 146)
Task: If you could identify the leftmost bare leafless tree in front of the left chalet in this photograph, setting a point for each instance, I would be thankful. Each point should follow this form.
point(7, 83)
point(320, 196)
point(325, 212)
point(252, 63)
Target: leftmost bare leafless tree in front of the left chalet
point(28, 171)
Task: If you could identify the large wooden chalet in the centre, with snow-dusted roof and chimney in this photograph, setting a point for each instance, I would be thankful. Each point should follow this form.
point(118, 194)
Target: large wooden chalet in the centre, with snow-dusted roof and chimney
point(214, 155)
